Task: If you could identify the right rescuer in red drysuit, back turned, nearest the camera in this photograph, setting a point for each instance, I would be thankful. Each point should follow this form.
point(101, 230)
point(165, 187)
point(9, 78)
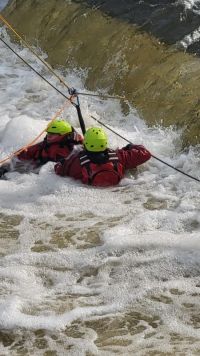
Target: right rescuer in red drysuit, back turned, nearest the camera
point(98, 165)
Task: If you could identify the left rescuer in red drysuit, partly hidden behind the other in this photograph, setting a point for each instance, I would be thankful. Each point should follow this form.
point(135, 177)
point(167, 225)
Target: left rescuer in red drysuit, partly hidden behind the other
point(57, 145)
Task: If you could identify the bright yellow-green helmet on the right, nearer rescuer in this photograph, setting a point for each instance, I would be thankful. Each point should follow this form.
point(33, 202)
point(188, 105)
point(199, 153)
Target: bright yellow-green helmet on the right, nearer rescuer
point(95, 140)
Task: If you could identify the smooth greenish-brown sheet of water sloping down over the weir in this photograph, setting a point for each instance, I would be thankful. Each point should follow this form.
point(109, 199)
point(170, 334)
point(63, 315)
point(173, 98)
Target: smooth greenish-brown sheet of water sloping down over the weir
point(162, 83)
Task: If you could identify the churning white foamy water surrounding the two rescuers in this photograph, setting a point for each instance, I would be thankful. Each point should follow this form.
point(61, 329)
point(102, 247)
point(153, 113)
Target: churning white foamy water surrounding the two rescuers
point(87, 270)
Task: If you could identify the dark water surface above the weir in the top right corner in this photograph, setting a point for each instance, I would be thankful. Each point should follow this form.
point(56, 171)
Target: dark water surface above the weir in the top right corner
point(169, 21)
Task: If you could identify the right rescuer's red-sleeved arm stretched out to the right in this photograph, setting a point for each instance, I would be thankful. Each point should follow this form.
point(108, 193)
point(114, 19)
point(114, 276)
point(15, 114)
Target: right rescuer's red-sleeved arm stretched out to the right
point(132, 156)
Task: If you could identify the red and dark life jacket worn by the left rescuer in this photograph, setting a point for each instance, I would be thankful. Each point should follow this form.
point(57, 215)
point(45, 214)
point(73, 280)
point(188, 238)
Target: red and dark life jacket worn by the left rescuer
point(67, 142)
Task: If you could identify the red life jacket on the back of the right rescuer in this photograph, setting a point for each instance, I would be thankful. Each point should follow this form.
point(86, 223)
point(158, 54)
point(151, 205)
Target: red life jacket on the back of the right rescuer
point(105, 174)
